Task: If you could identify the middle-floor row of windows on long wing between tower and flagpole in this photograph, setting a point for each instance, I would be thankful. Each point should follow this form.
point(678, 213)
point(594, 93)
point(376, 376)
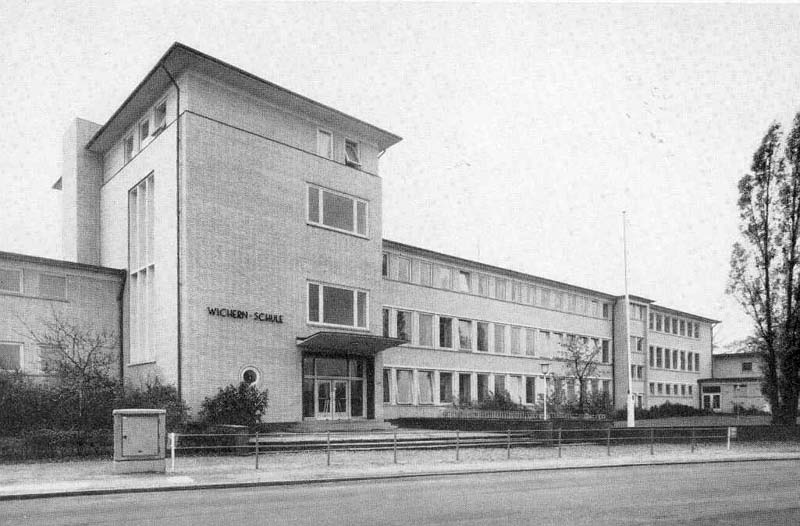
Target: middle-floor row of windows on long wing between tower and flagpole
point(434, 330)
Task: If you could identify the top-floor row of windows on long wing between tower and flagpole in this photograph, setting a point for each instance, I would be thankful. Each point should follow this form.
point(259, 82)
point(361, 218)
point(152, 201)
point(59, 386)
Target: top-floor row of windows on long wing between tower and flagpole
point(421, 272)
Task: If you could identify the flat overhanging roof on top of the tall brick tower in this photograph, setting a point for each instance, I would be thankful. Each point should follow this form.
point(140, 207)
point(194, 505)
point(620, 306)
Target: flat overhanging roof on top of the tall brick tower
point(180, 57)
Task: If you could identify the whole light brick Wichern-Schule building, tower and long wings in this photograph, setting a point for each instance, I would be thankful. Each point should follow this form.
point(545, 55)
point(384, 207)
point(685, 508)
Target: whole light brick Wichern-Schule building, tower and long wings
point(245, 220)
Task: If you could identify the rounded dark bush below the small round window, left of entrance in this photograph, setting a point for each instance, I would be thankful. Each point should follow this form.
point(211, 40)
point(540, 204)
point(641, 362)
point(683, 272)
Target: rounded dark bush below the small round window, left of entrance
point(238, 405)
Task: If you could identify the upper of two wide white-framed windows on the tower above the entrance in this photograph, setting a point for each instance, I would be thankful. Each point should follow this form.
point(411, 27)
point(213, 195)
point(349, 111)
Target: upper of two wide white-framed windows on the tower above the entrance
point(337, 211)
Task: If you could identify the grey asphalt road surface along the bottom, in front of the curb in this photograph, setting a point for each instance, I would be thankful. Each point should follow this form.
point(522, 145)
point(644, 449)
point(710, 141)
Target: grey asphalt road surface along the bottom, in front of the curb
point(746, 493)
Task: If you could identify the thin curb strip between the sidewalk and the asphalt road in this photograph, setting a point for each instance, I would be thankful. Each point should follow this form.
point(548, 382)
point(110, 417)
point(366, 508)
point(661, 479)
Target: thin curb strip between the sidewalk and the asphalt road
point(363, 478)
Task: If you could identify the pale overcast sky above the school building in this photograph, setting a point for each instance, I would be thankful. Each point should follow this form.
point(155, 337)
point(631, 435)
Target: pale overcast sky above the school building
point(527, 129)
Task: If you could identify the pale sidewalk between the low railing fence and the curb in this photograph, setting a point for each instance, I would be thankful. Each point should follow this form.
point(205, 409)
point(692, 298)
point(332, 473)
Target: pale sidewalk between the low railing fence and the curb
point(38, 480)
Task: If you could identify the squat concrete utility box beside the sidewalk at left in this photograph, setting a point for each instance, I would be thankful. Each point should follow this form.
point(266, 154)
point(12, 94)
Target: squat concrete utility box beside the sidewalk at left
point(139, 440)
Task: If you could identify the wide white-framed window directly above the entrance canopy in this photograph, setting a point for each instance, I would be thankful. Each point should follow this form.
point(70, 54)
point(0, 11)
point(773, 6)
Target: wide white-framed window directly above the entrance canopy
point(337, 305)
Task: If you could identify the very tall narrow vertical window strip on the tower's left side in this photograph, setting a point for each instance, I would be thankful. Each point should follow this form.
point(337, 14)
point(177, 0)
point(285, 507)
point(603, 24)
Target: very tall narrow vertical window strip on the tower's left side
point(141, 265)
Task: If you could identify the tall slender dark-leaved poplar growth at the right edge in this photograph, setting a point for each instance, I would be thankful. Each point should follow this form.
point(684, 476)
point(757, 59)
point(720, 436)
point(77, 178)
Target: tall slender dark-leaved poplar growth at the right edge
point(764, 265)
